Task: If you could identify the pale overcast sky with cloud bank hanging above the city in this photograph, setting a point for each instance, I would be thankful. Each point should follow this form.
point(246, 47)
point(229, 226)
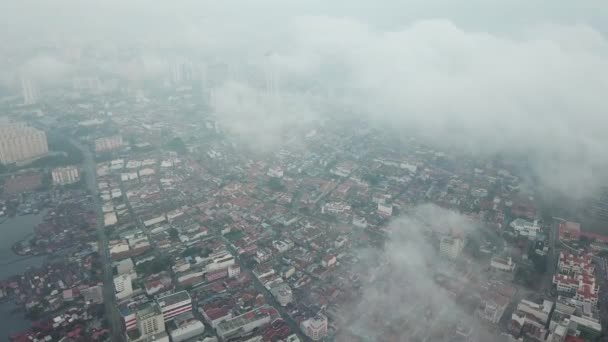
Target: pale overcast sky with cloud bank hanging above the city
point(518, 77)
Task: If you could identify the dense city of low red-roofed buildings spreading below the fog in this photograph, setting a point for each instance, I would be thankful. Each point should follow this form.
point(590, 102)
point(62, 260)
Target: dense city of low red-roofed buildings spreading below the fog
point(158, 224)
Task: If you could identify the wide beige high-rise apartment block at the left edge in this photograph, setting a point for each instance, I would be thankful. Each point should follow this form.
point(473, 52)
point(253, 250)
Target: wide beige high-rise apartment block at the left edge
point(19, 143)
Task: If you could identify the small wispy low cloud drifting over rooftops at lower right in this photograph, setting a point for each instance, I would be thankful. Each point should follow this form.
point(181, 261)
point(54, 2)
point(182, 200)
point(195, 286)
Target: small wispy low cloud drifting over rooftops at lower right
point(400, 292)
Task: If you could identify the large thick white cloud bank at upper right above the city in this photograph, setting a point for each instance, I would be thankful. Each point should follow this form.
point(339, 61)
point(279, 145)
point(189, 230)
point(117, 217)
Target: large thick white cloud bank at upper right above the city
point(537, 94)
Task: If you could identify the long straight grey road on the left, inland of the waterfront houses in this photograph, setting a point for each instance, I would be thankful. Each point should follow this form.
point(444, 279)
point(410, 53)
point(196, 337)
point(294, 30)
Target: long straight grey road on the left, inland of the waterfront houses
point(109, 299)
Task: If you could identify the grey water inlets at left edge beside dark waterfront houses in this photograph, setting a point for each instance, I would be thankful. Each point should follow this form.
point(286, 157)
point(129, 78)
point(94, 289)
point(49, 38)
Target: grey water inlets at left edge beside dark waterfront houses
point(13, 230)
